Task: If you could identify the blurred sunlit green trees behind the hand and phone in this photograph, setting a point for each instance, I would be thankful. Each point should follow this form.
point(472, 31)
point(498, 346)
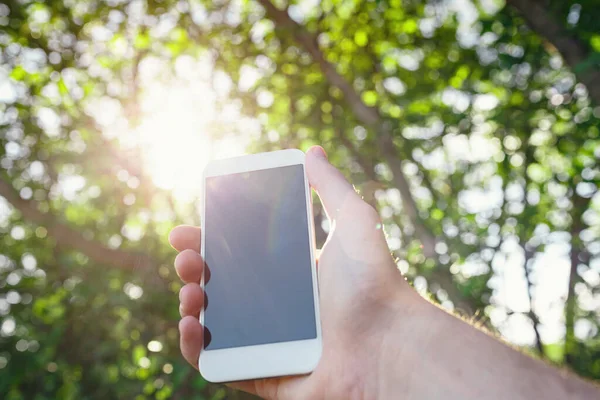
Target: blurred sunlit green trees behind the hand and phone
point(472, 125)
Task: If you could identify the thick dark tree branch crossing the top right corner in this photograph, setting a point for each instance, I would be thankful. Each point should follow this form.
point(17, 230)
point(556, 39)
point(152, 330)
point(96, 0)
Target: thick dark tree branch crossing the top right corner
point(574, 51)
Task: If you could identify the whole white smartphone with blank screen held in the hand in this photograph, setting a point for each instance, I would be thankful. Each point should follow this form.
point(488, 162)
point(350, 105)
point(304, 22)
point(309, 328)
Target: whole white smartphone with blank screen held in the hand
point(262, 315)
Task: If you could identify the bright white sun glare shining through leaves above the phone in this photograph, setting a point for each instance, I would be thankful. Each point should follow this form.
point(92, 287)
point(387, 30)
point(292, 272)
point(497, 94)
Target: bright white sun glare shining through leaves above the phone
point(185, 124)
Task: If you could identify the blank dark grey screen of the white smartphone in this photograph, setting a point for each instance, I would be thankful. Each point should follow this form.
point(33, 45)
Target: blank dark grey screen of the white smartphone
point(257, 250)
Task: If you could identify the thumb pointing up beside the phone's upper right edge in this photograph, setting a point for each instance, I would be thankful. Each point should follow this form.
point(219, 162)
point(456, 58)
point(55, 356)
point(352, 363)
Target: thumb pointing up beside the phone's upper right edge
point(329, 183)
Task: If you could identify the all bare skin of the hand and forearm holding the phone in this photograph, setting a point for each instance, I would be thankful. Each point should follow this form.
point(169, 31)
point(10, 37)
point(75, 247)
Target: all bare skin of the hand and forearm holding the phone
point(380, 338)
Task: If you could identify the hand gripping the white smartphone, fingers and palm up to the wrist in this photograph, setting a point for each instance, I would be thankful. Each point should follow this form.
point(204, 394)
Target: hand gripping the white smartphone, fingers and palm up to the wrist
point(363, 297)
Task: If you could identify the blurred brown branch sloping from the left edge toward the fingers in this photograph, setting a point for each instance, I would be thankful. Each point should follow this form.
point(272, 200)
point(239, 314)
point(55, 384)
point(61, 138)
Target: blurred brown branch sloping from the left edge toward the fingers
point(66, 236)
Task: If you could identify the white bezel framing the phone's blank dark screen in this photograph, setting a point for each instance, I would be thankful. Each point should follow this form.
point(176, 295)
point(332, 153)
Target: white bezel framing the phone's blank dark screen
point(274, 359)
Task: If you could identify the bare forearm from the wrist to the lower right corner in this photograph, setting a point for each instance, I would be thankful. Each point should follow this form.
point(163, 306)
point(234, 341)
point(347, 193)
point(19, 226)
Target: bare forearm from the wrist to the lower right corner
point(446, 358)
